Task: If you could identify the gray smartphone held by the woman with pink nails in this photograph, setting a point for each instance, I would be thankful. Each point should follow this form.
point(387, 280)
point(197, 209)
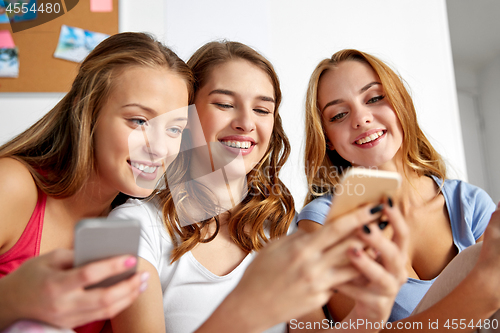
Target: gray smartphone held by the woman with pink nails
point(101, 238)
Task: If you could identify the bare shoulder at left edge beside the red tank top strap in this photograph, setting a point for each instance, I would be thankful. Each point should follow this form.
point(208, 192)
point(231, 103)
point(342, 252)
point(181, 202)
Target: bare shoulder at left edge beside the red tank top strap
point(18, 198)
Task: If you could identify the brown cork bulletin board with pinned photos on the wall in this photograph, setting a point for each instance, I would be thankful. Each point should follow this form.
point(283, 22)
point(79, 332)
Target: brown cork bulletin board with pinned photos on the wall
point(39, 71)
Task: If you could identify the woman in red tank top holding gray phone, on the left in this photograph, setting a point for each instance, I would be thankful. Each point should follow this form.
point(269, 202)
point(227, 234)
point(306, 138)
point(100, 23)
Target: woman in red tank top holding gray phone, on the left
point(72, 164)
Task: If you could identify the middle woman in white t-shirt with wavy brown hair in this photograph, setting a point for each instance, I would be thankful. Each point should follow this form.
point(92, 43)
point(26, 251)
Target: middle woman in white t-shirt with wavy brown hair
point(224, 201)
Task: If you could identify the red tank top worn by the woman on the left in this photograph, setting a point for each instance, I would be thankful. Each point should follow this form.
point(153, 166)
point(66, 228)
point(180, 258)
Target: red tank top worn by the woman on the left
point(28, 246)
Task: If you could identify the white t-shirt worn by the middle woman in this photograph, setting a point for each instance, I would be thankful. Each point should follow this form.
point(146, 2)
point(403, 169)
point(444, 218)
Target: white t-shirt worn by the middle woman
point(190, 291)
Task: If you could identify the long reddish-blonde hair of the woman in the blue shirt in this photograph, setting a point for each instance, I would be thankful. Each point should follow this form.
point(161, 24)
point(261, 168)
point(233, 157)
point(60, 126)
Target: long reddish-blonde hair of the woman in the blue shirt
point(324, 167)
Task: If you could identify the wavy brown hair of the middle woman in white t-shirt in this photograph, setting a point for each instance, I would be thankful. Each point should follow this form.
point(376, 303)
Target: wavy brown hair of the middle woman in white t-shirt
point(268, 203)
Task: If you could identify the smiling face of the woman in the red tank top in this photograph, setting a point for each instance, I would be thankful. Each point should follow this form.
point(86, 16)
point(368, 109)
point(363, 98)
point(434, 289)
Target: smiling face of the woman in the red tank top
point(138, 131)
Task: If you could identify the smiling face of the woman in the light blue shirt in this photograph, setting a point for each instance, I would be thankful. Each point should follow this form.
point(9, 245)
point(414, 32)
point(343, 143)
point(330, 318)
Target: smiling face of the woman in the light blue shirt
point(360, 123)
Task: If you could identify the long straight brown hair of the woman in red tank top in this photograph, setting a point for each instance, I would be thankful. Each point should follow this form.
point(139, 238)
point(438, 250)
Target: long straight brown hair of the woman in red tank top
point(58, 149)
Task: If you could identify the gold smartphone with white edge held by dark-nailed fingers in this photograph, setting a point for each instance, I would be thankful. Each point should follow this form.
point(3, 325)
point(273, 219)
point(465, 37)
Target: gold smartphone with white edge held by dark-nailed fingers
point(360, 186)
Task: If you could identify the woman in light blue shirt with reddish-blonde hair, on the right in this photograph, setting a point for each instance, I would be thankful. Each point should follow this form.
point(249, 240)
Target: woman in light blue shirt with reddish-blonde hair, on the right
point(359, 113)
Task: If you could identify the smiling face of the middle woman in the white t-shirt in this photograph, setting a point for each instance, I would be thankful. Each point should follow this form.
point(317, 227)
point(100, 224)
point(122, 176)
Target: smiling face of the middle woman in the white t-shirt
point(236, 110)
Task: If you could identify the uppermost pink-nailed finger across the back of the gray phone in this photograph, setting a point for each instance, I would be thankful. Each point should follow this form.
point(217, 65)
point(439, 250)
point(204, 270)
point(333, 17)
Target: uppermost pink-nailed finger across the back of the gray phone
point(96, 272)
